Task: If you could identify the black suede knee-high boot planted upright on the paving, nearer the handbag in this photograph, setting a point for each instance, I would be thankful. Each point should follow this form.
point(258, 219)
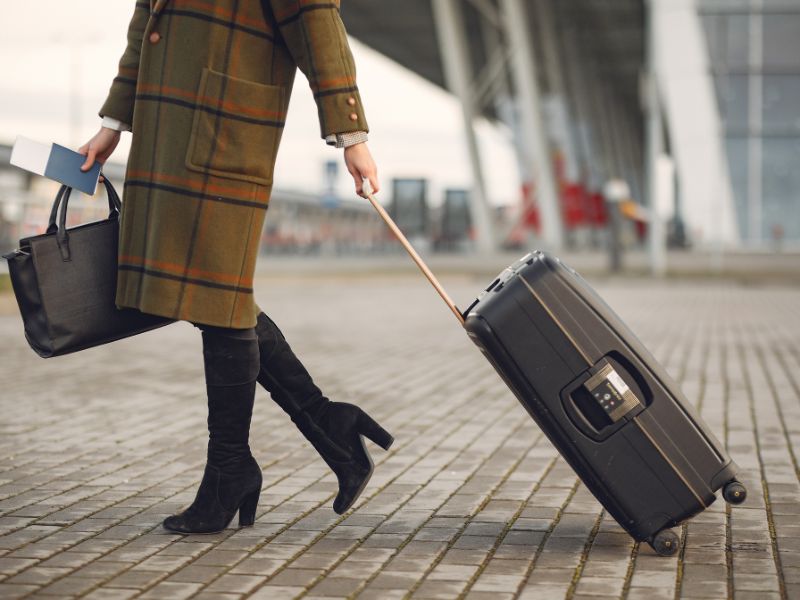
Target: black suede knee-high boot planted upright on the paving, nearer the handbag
point(232, 479)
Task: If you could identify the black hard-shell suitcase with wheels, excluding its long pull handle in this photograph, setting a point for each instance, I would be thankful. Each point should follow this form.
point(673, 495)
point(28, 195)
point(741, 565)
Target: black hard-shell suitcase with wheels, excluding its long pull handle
point(605, 403)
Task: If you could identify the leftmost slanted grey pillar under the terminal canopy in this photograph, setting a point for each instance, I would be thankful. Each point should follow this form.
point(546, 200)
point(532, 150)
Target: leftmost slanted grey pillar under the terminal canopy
point(450, 30)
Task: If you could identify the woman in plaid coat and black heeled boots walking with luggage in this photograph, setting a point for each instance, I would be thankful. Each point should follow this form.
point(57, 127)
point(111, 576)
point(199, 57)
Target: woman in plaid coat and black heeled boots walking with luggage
point(204, 86)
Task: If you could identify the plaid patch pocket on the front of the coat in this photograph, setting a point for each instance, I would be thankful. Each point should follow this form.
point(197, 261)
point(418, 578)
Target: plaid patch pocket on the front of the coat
point(236, 127)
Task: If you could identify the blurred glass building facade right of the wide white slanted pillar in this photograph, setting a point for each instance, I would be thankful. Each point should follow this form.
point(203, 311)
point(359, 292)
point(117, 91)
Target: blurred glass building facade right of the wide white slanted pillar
point(754, 48)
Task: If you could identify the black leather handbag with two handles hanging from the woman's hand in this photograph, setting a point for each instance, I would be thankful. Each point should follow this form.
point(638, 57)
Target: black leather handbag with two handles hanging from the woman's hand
point(65, 283)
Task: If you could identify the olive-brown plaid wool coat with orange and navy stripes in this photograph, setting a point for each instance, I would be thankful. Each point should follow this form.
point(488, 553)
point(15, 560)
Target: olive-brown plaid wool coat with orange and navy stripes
point(205, 86)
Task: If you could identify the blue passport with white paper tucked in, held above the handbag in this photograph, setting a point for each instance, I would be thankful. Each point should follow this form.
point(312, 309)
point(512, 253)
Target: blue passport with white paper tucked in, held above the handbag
point(55, 162)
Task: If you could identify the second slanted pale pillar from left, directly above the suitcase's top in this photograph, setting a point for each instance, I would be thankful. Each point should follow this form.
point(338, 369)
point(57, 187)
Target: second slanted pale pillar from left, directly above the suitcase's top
point(523, 69)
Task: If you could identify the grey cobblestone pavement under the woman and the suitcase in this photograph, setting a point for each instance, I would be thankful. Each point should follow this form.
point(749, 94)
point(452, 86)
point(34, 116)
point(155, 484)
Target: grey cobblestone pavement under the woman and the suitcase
point(98, 447)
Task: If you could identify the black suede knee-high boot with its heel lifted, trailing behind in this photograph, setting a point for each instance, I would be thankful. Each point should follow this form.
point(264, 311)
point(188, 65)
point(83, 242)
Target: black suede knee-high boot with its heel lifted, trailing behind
point(335, 429)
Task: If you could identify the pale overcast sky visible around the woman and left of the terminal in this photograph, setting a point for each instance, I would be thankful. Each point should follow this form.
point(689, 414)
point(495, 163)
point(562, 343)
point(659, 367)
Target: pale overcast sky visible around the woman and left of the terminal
point(59, 57)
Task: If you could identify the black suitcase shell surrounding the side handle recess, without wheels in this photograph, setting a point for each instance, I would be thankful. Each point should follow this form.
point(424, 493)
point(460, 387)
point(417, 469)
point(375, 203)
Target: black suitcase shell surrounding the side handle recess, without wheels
point(669, 488)
